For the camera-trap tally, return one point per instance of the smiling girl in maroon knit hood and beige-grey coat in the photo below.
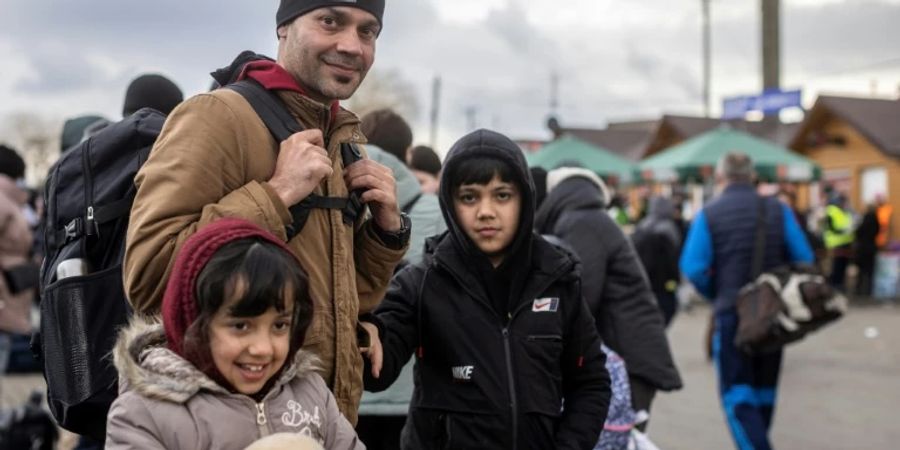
(225, 367)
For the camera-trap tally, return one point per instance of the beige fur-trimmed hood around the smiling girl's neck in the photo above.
(148, 367)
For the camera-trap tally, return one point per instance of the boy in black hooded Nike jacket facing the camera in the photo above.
(507, 354)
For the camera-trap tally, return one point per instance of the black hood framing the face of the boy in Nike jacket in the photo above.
(485, 143)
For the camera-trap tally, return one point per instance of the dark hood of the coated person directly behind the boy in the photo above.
(571, 194)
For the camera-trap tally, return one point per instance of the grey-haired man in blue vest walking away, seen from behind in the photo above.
(717, 259)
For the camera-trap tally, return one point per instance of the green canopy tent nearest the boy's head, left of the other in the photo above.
(569, 151)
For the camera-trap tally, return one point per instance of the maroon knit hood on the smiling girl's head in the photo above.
(179, 309)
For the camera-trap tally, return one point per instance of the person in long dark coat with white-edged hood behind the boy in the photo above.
(614, 283)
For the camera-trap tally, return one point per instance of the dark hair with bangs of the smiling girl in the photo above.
(265, 271)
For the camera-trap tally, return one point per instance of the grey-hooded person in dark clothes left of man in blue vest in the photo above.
(657, 240)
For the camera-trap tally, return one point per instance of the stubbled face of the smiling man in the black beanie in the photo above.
(329, 50)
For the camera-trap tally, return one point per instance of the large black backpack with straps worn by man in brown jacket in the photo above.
(88, 196)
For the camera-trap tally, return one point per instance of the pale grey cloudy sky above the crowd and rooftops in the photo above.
(615, 59)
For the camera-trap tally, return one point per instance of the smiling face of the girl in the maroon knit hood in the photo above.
(248, 351)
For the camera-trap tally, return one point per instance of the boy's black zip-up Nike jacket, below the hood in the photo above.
(484, 381)
